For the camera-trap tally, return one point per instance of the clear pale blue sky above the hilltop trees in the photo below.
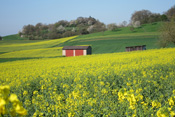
(14, 14)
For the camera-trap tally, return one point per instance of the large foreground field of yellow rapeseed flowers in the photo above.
(120, 84)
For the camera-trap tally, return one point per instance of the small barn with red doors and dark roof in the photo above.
(76, 50)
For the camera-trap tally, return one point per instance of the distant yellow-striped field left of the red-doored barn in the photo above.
(11, 50)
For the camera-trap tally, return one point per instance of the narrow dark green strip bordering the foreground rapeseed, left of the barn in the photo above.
(28, 58)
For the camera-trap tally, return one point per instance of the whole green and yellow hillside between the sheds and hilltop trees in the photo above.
(14, 47)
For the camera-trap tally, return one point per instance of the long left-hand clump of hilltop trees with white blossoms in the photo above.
(62, 28)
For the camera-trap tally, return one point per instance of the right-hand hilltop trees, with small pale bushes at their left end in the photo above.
(144, 17)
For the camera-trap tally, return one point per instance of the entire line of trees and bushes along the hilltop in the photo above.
(83, 25)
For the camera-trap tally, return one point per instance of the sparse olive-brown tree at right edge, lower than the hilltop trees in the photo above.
(167, 34)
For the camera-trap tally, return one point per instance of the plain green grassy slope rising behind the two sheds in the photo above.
(116, 41)
